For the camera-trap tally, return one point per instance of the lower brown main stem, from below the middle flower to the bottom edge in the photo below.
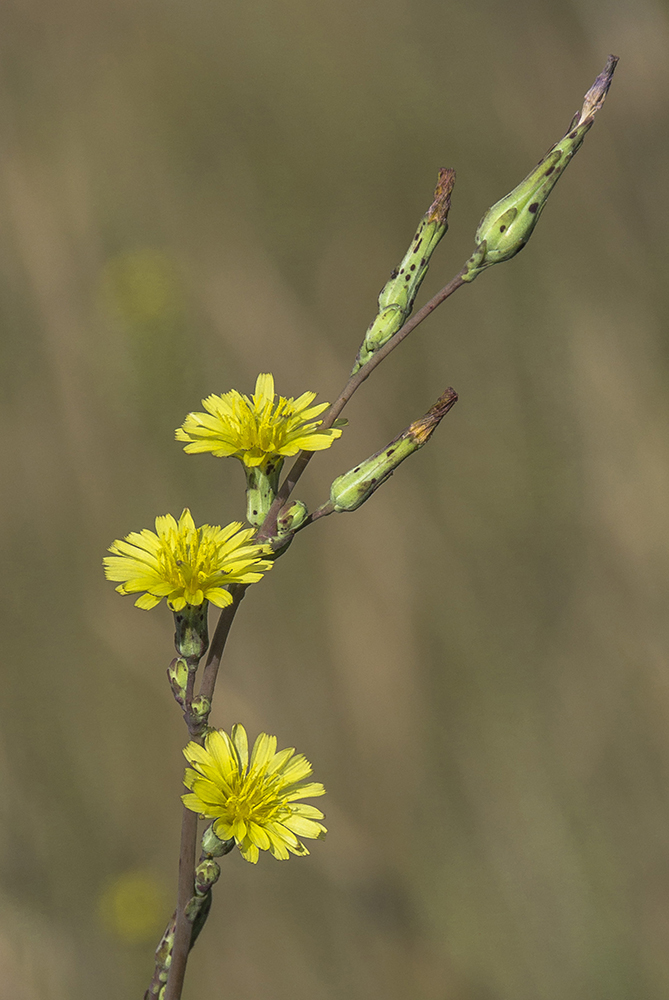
(187, 850)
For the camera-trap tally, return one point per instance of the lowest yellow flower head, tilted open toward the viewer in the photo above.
(253, 801)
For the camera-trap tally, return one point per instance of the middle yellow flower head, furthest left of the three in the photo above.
(185, 564)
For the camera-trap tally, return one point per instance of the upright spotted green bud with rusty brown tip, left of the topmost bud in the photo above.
(399, 293)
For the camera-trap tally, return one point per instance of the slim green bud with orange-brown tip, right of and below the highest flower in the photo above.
(350, 491)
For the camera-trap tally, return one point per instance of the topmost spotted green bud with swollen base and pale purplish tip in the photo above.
(507, 226)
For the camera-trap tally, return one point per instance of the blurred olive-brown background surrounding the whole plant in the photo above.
(476, 662)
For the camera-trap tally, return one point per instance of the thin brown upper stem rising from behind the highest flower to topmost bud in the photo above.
(299, 465)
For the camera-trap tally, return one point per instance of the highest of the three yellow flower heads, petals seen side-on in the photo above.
(254, 429)
